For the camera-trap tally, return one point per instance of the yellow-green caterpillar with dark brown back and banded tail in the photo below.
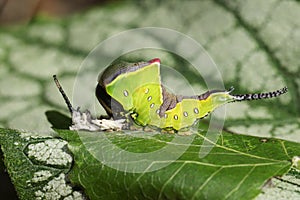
(136, 88)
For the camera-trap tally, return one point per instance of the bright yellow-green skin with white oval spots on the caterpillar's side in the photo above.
(140, 92)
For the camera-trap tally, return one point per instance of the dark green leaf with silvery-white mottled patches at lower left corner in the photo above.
(37, 165)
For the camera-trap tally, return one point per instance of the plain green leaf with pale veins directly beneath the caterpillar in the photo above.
(237, 167)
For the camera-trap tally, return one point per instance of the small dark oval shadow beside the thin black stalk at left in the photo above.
(58, 120)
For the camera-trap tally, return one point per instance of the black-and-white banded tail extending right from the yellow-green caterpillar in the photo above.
(256, 96)
